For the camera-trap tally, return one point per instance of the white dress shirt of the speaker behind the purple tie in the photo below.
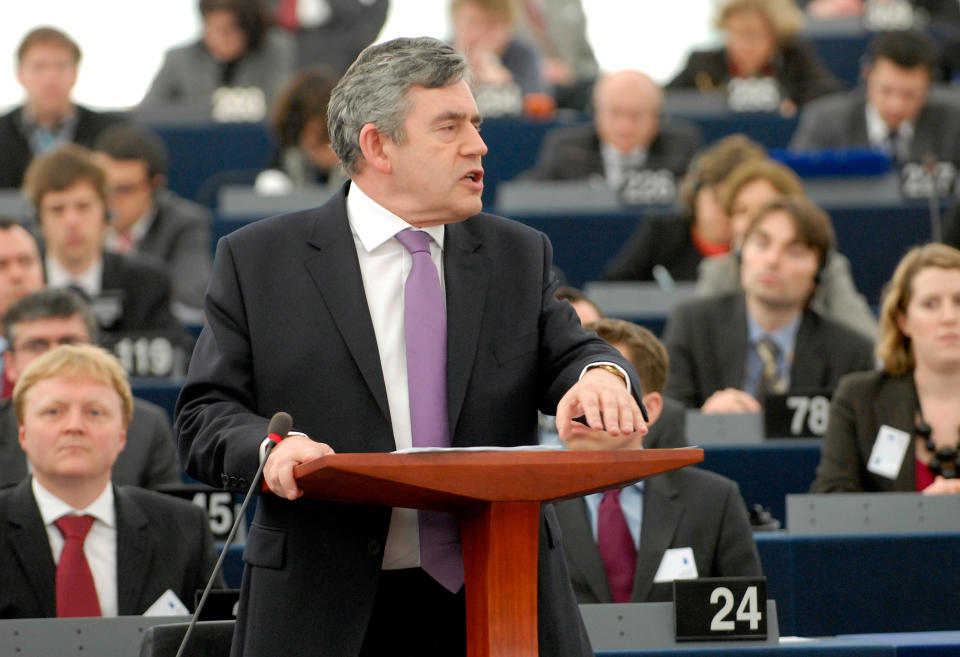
(384, 265)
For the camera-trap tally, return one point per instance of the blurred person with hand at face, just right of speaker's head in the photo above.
(505, 69)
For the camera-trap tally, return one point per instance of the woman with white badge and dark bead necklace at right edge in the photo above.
(897, 429)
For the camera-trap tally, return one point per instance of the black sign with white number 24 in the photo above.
(720, 608)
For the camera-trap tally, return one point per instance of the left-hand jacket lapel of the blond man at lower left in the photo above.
(27, 538)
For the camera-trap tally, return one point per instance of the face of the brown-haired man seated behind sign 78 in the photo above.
(777, 269)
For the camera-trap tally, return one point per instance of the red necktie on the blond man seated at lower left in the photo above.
(76, 594)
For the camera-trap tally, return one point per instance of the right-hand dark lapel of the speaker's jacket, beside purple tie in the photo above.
(466, 272)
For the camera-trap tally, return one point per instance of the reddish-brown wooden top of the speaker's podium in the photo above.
(453, 479)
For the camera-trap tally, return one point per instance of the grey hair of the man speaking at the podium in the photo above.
(374, 90)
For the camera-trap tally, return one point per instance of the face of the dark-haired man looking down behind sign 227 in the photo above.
(898, 94)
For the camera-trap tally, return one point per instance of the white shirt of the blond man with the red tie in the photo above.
(100, 546)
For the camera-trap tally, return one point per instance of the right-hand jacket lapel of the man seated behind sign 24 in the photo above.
(661, 515)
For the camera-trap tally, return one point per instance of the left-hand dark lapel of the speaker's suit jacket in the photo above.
(336, 273)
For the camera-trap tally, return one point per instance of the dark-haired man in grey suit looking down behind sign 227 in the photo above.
(897, 111)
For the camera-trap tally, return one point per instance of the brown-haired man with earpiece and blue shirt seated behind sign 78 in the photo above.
(728, 351)
